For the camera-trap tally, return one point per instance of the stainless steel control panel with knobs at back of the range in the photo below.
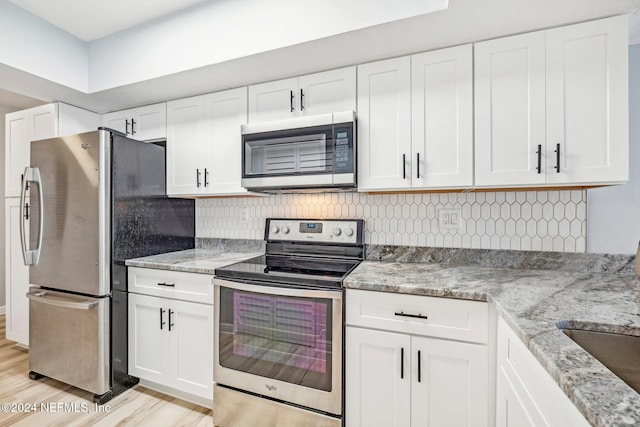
(347, 231)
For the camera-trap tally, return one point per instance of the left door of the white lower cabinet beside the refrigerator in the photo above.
(148, 338)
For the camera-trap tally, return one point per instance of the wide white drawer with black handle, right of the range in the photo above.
(440, 317)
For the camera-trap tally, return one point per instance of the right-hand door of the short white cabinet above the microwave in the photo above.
(327, 92)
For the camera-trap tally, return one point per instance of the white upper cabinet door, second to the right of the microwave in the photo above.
(442, 118)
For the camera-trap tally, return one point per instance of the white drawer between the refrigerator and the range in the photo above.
(171, 284)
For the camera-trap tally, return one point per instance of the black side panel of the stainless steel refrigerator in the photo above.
(144, 221)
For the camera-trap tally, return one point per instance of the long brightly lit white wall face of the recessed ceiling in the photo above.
(223, 30)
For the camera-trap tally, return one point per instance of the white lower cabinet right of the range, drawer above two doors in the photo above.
(403, 377)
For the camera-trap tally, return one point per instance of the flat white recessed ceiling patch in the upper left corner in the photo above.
(92, 19)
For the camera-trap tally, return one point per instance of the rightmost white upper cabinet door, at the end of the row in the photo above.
(587, 90)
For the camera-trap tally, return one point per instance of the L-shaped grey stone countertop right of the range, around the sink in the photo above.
(534, 303)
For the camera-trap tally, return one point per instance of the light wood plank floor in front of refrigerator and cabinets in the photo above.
(137, 406)
